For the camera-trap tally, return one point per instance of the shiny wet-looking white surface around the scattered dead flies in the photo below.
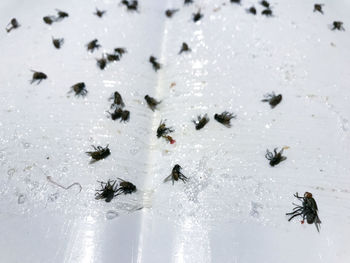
(233, 208)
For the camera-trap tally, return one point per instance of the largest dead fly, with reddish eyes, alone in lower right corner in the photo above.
(307, 210)
